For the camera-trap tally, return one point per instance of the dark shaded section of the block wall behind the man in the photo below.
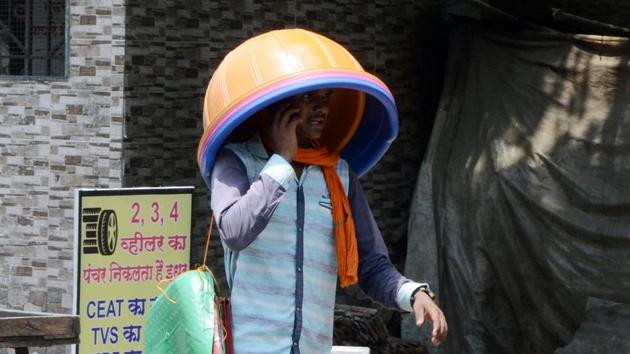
(173, 46)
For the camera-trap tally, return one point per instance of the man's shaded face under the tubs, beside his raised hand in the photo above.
(314, 107)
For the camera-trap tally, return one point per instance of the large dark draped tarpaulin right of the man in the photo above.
(521, 213)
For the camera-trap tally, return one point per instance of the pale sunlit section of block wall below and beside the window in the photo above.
(55, 136)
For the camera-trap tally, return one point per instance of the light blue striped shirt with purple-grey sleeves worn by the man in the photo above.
(280, 252)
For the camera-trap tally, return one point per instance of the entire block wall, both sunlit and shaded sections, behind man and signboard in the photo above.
(139, 68)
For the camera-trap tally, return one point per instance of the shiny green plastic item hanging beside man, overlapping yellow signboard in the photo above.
(182, 319)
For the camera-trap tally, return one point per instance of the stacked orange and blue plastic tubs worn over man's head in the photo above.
(363, 120)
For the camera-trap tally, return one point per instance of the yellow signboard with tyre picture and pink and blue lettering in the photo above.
(126, 242)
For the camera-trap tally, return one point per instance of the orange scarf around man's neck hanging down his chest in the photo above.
(343, 223)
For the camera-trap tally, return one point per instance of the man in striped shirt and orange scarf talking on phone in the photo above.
(291, 217)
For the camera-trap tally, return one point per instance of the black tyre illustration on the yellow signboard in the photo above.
(101, 231)
